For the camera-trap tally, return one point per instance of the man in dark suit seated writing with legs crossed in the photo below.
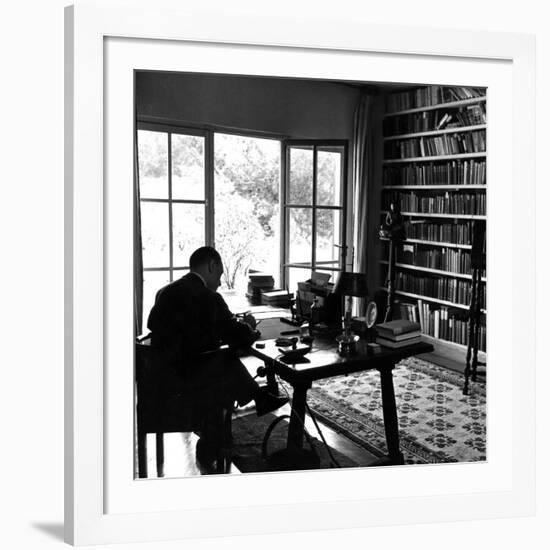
(188, 318)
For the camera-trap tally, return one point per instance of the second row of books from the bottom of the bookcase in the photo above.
(442, 288)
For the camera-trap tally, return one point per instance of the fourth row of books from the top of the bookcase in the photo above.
(456, 172)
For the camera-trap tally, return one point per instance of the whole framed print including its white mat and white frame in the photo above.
(237, 193)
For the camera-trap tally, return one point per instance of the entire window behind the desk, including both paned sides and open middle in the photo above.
(202, 187)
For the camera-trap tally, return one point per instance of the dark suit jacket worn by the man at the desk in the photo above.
(188, 318)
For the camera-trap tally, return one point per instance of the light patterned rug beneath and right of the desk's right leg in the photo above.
(436, 422)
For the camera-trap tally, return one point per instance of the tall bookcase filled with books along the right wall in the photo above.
(434, 167)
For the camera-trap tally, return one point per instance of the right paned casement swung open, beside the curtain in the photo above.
(314, 213)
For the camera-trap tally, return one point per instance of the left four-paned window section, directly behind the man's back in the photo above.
(173, 205)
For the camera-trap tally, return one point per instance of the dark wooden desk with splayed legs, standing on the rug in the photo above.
(325, 362)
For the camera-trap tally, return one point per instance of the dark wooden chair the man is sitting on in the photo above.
(160, 411)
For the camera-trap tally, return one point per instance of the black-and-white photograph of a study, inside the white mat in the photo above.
(309, 274)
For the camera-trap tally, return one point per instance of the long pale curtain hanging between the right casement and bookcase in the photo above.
(363, 192)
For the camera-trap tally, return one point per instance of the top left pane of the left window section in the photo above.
(153, 164)
